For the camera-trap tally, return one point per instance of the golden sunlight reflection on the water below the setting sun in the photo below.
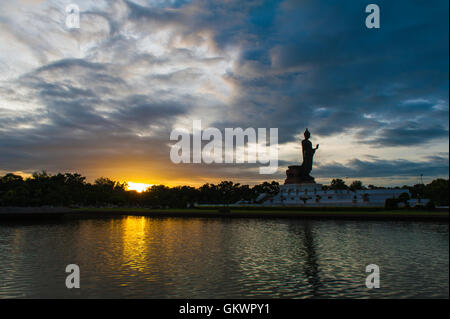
(168, 250)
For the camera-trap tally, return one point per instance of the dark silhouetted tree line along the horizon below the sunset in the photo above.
(72, 189)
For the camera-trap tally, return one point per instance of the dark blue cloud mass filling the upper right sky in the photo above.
(361, 78)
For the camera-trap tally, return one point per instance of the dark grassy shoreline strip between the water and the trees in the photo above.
(46, 213)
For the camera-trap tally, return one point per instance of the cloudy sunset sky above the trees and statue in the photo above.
(102, 100)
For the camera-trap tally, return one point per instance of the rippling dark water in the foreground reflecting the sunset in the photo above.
(142, 257)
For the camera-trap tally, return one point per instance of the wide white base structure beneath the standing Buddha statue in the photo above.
(313, 195)
